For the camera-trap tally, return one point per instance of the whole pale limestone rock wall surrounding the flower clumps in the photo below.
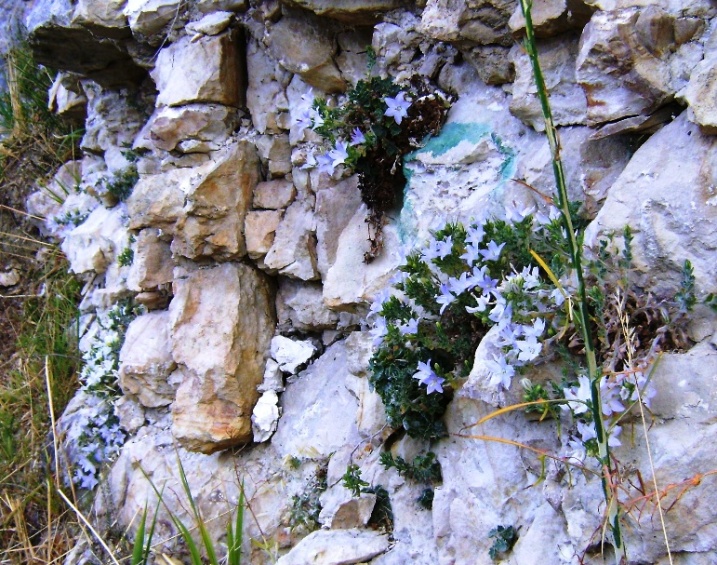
(250, 364)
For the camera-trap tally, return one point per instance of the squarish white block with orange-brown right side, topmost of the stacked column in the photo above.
(206, 70)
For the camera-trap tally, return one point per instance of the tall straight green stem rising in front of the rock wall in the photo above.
(582, 316)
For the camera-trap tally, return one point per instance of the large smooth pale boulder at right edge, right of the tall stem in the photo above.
(670, 204)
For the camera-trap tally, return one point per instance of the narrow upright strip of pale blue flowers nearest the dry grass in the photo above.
(102, 436)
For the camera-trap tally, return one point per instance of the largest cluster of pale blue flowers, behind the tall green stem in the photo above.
(509, 279)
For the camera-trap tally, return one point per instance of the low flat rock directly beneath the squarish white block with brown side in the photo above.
(189, 129)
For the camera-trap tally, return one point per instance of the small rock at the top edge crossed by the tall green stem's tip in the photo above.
(553, 17)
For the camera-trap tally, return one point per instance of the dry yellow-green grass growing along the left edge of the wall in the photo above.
(38, 351)
